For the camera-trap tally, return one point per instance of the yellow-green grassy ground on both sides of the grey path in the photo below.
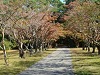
(84, 63)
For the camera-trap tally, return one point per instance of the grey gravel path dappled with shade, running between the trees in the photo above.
(57, 63)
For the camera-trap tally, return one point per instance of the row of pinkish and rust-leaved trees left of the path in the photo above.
(29, 25)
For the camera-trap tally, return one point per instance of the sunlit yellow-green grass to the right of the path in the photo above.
(85, 63)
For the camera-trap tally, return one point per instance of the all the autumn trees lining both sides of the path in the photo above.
(35, 24)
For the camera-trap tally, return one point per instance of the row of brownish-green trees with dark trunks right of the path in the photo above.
(84, 23)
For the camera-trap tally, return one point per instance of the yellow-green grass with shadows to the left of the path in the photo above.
(16, 64)
